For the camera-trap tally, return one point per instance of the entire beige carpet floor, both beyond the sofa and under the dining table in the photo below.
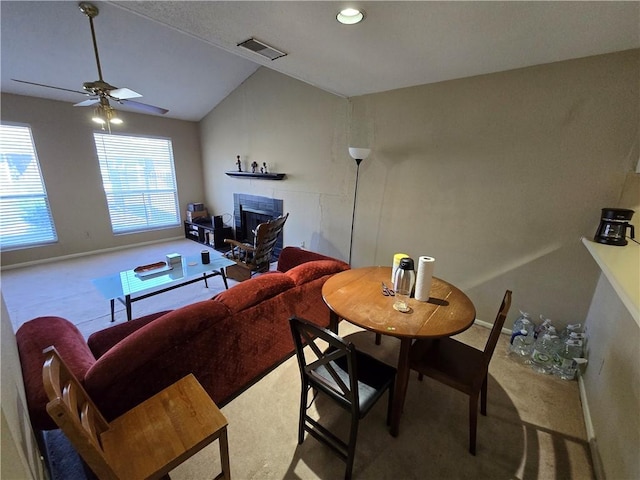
(534, 428)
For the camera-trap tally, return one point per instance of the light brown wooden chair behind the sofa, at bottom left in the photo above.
(146, 442)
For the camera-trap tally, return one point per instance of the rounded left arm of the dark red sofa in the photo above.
(32, 338)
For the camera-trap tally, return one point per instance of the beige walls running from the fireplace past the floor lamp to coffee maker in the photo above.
(497, 176)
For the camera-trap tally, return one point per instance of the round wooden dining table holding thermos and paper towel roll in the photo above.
(356, 296)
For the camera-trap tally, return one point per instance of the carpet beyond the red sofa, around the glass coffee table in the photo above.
(64, 289)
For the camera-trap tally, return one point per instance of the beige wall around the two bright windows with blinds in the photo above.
(63, 136)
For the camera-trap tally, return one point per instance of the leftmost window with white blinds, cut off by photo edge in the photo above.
(25, 216)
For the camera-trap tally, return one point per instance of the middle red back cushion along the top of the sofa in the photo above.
(247, 294)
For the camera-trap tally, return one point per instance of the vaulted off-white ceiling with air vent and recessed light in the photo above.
(183, 56)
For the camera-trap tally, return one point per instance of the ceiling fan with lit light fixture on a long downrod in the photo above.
(99, 90)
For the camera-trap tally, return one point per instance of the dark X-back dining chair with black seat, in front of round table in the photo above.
(354, 380)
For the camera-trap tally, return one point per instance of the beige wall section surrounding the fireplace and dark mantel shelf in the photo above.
(298, 130)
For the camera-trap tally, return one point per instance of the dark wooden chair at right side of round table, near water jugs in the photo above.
(461, 366)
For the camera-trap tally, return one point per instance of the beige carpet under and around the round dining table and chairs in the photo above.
(534, 428)
